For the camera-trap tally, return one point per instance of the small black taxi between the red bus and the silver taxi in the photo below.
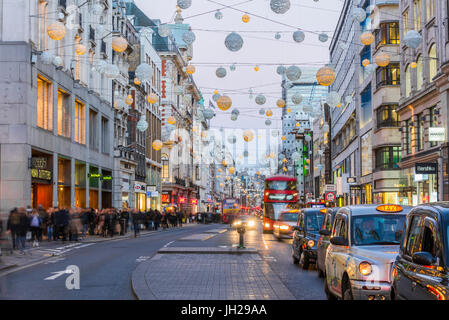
(306, 235)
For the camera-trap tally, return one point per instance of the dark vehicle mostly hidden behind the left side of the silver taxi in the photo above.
(323, 241)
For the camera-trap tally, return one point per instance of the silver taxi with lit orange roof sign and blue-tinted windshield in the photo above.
(364, 243)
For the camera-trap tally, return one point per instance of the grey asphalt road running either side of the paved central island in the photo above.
(106, 267)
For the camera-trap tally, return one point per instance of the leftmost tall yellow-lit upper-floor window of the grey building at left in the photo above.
(44, 104)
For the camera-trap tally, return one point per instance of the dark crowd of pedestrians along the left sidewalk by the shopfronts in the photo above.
(72, 224)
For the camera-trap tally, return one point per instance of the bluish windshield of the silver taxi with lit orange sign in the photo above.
(377, 229)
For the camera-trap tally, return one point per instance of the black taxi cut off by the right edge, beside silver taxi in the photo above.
(421, 270)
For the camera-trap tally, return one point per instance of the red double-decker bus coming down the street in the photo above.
(280, 194)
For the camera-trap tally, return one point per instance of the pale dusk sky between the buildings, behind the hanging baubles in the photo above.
(259, 48)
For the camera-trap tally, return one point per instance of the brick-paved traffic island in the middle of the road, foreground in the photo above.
(192, 276)
